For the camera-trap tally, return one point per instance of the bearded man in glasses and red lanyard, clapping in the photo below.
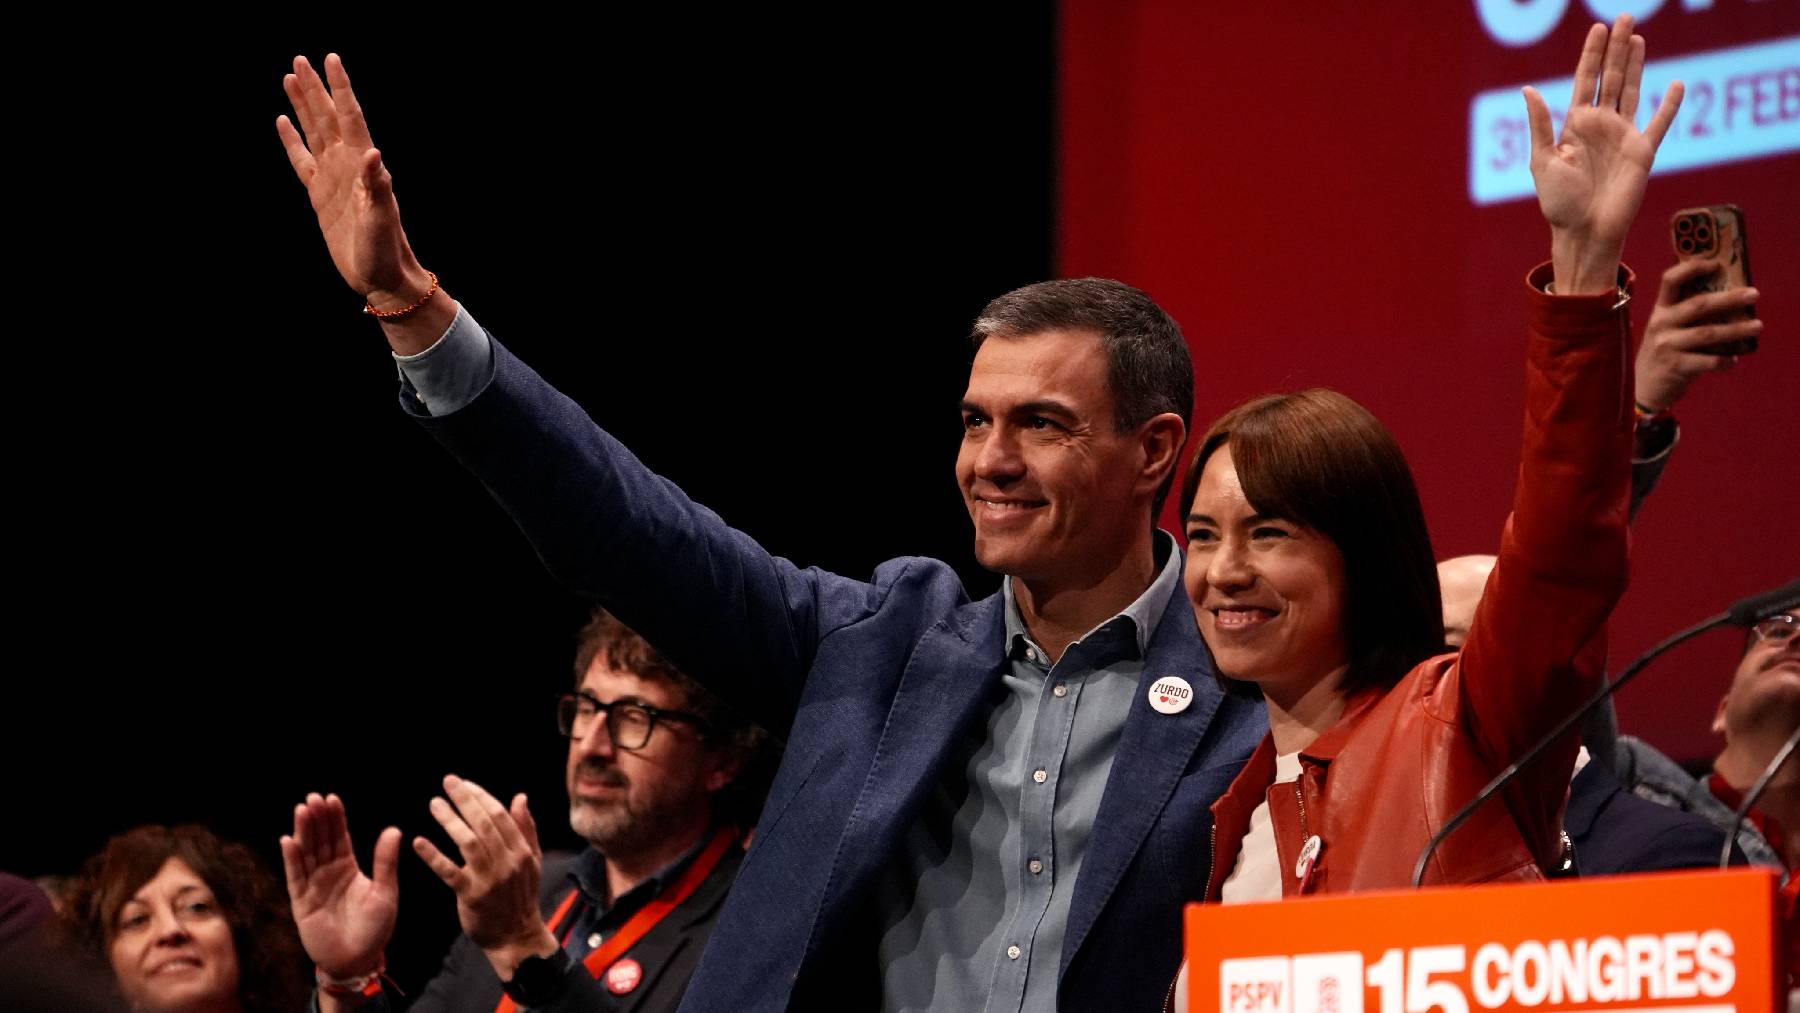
(663, 785)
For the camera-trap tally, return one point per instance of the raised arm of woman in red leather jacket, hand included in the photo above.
(1536, 647)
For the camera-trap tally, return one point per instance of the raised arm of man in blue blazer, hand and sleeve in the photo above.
(710, 598)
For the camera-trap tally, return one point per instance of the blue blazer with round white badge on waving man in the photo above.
(872, 685)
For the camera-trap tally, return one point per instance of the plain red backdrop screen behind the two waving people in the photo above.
(1297, 193)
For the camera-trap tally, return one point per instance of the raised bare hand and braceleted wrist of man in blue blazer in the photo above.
(354, 197)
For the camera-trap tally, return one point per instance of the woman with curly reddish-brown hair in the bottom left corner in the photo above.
(188, 924)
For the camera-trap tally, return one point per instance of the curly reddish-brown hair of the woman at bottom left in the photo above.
(271, 962)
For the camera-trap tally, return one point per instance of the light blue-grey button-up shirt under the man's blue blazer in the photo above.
(978, 899)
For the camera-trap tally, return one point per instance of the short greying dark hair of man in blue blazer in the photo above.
(1149, 368)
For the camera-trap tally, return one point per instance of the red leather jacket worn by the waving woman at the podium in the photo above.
(1401, 762)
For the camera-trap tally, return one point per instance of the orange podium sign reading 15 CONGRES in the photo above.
(1668, 942)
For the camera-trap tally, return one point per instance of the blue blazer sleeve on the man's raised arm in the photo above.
(708, 596)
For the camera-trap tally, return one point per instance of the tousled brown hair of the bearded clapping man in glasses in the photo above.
(624, 650)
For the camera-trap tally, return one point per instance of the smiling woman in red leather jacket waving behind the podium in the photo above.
(1315, 584)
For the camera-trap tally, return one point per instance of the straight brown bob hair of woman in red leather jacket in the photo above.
(1320, 460)
